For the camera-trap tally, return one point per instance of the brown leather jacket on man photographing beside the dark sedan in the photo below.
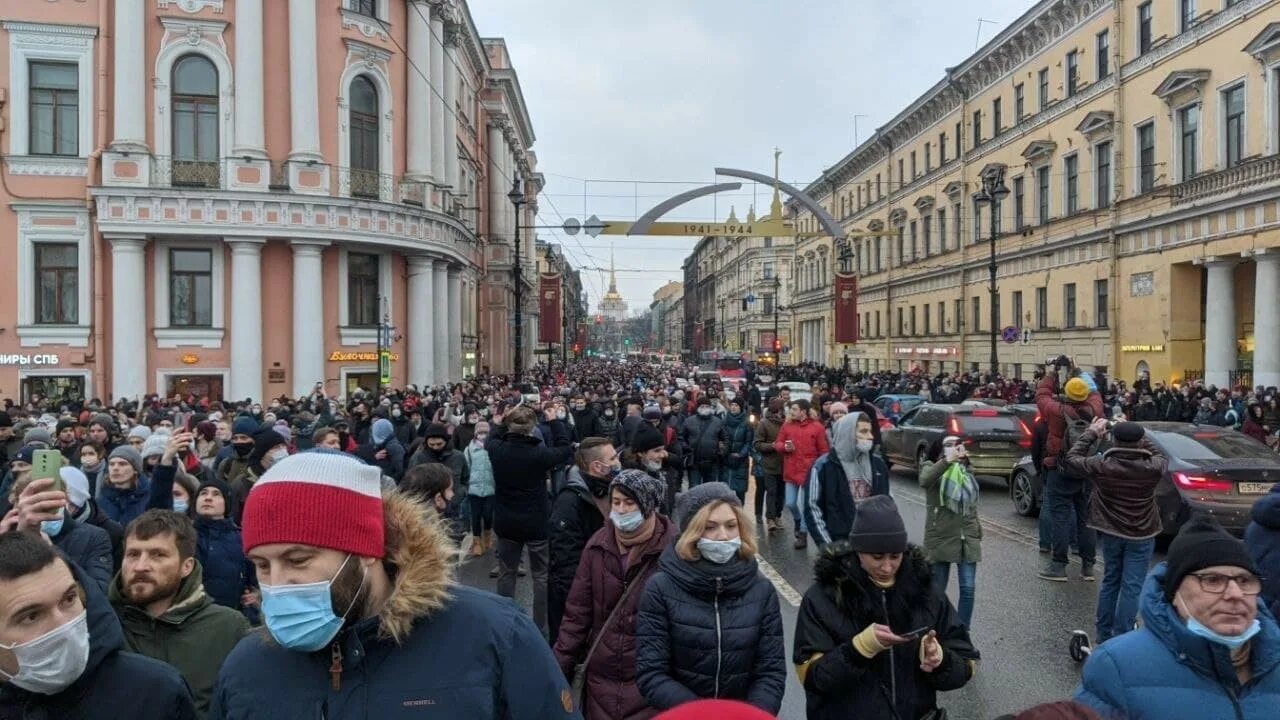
(1124, 486)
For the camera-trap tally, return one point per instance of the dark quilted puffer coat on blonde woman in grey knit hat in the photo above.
(708, 631)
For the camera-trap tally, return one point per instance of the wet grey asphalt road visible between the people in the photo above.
(1022, 625)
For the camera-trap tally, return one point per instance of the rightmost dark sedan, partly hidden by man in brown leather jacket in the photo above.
(1212, 470)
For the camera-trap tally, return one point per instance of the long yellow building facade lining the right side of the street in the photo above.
(1141, 234)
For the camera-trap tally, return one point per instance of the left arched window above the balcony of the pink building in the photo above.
(195, 122)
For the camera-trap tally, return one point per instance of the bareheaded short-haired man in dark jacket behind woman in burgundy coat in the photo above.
(578, 512)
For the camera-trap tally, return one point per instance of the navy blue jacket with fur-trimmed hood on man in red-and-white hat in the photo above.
(436, 650)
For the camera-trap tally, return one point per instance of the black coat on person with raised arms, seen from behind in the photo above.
(522, 507)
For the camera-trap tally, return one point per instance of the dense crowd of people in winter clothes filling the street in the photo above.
(234, 558)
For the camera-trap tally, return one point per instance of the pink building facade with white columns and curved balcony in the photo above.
(227, 198)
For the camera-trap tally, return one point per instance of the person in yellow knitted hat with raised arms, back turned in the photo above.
(1068, 412)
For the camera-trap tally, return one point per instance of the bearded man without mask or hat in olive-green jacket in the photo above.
(163, 607)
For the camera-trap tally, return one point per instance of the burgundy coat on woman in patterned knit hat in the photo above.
(611, 676)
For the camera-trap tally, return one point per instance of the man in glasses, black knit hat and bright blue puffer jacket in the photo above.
(1205, 649)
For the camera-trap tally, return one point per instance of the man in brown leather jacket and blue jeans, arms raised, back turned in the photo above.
(1123, 511)
